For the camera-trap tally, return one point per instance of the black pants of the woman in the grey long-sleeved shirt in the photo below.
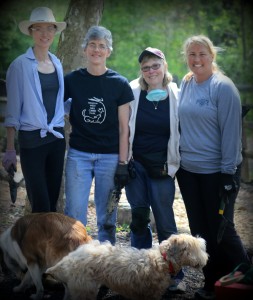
(200, 193)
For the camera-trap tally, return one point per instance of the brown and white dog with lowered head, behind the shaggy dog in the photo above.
(36, 242)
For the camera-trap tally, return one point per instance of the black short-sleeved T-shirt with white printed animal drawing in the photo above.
(94, 109)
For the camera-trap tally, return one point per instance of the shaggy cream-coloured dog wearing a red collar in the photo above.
(134, 274)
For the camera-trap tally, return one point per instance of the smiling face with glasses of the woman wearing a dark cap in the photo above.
(153, 71)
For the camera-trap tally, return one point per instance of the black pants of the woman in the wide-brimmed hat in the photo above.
(42, 168)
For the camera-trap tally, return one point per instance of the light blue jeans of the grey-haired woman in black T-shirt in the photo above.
(81, 169)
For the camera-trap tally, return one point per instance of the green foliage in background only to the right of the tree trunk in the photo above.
(166, 24)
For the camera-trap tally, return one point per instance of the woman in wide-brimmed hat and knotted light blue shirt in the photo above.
(35, 108)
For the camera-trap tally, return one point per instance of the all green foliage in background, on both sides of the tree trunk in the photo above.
(136, 25)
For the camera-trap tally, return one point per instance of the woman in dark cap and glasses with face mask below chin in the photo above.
(154, 152)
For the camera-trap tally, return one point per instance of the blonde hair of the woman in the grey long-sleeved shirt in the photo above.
(206, 42)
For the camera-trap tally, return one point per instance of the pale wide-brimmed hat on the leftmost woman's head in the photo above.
(41, 15)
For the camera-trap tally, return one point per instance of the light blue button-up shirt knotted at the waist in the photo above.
(25, 109)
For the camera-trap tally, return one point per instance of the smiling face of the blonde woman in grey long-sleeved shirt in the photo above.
(199, 60)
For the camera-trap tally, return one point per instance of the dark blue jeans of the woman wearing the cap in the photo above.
(144, 192)
